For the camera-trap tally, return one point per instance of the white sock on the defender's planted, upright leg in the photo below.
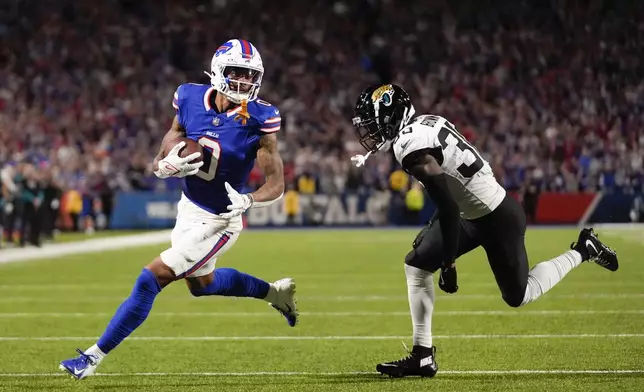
(420, 290)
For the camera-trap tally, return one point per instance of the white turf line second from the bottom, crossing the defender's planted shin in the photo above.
(392, 337)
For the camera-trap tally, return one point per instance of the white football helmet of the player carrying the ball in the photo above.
(237, 70)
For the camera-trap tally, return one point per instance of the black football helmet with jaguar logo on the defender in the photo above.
(380, 113)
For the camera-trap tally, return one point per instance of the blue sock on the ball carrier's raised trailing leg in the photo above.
(229, 282)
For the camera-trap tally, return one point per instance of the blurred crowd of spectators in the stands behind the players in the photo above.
(552, 92)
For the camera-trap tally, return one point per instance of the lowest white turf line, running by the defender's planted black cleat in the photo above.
(255, 374)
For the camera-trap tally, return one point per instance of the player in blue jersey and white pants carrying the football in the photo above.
(235, 129)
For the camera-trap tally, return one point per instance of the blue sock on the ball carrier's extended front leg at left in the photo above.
(131, 313)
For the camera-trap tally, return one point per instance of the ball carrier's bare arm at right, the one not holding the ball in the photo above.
(270, 162)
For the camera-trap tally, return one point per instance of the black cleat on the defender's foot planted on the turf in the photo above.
(421, 361)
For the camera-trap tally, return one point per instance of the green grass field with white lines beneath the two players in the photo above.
(582, 336)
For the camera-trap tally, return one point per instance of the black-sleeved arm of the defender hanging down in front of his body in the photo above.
(426, 169)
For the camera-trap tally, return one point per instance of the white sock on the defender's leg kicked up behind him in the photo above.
(547, 274)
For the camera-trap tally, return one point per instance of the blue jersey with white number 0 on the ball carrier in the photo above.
(230, 148)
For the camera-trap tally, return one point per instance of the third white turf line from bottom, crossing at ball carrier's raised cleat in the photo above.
(334, 314)
